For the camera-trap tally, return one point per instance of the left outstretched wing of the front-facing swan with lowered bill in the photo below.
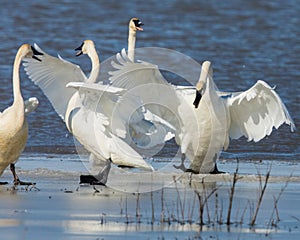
(146, 81)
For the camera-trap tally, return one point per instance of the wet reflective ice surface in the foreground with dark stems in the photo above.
(61, 209)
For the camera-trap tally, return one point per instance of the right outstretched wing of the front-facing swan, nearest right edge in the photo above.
(255, 112)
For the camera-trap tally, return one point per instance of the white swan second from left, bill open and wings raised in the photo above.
(86, 114)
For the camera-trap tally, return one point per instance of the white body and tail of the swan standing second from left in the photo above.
(93, 128)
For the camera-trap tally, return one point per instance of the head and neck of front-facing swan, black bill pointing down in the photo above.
(206, 71)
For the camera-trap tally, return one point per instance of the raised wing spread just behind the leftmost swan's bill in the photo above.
(52, 74)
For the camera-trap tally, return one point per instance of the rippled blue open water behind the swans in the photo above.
(245, 40)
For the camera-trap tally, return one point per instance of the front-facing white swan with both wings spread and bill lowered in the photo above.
(205, 122)
